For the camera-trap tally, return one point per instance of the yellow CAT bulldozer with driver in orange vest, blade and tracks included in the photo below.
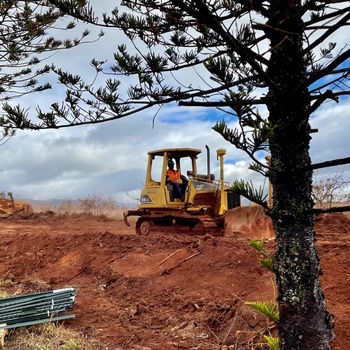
(203, 205)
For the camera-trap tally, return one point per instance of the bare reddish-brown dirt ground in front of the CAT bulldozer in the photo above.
(130, 297)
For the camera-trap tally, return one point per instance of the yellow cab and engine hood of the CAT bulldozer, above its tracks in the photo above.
(196, 193)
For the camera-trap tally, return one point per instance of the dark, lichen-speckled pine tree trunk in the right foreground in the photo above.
(304, 320)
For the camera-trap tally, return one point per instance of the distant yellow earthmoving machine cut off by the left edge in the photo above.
(10, 207)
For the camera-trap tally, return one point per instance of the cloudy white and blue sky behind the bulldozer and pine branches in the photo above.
(110, 159)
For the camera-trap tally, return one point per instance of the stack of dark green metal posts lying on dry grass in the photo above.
(30, 309)
